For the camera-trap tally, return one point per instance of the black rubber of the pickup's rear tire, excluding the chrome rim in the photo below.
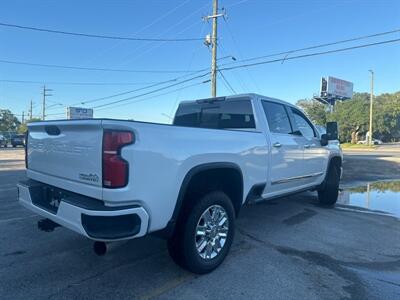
(182, 245)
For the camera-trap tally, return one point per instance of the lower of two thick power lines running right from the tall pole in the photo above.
(309, 55)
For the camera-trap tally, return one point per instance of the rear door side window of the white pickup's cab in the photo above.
(277, 117)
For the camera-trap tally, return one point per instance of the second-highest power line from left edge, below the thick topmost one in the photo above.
(91, 69)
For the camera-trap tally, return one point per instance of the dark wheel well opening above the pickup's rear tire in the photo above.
(225, 178)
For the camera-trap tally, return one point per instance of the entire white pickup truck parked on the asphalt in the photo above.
(113, 180)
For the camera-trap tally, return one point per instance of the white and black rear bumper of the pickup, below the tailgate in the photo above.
(84, 215)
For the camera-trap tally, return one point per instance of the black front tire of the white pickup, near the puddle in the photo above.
(328, 195)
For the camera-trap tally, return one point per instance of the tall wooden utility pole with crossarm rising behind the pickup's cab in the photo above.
(213, 42)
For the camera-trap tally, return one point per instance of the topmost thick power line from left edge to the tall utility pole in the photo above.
(101, 36)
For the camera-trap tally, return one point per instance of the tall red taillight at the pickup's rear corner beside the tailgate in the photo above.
(115, 168)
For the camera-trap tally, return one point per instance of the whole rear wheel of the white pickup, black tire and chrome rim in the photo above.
(204, 235)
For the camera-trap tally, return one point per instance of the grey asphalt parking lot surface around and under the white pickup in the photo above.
(287, 248)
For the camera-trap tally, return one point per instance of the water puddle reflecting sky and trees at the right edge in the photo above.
(381, 196)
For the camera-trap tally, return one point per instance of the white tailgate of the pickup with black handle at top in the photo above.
(70, 150)
